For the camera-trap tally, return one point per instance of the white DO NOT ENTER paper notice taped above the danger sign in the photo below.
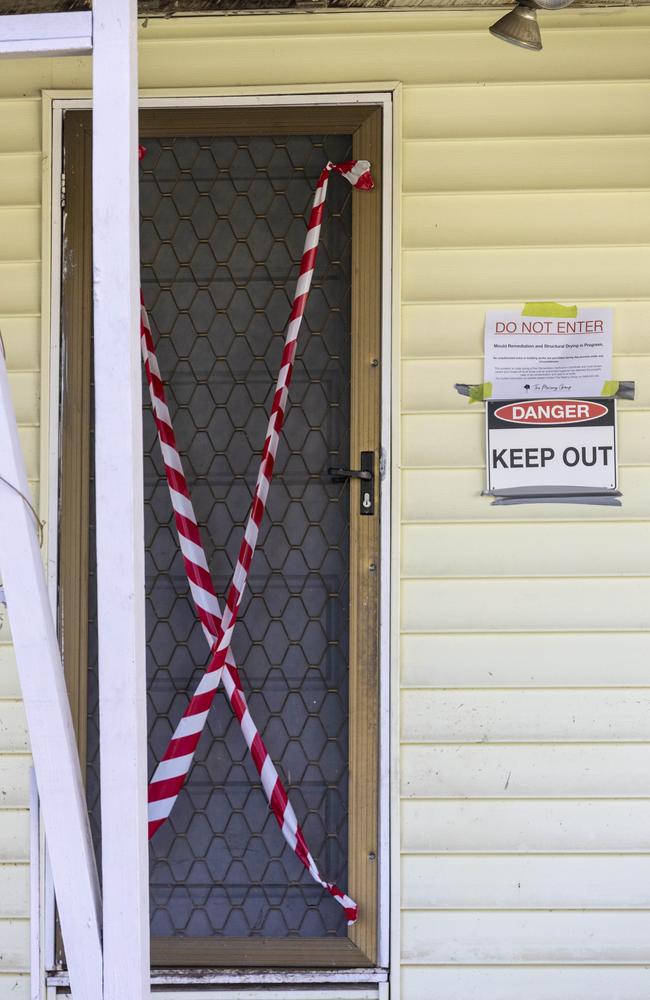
(548, 355)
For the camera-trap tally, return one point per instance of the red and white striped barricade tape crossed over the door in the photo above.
(170, 774)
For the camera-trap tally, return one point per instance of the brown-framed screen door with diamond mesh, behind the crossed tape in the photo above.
(223, 216)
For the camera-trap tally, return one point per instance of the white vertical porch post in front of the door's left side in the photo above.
(119, 498)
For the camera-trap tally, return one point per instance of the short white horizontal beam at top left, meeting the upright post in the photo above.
(67, 34)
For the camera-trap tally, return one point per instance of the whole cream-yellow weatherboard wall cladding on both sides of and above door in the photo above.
(525, 712)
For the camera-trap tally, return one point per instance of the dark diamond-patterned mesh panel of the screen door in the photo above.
(223, 227)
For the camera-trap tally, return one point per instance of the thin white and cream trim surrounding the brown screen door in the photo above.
(383, 95)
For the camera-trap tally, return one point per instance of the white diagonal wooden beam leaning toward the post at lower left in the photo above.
(54, 751)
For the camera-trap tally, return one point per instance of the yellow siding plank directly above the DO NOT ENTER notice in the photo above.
(539, 273)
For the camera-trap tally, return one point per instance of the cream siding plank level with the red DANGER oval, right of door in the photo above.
(431, 440)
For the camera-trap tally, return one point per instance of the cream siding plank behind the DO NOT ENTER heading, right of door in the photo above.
(456, 329)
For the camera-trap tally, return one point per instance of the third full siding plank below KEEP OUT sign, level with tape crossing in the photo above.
(598, 659)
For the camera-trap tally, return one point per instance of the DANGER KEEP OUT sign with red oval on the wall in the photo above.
(551, 443)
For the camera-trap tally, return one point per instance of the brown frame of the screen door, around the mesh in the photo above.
(364, 122)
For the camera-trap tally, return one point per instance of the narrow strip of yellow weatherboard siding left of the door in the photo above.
(20, 305)
